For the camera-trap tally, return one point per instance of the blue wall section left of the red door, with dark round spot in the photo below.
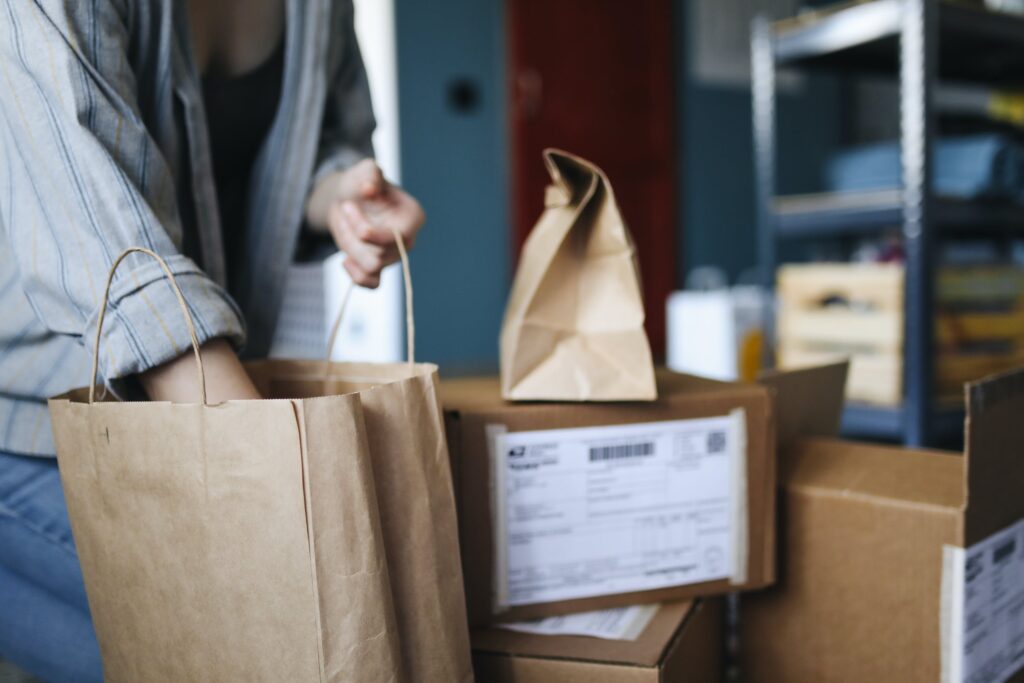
(456, 163)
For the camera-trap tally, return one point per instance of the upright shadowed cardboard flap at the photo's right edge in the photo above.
(995, 454)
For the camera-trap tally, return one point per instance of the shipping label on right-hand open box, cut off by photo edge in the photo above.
(984, 609)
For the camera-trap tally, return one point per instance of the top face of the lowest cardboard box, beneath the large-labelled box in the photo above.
(647, 651)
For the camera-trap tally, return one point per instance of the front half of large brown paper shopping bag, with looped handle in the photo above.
(237, 542)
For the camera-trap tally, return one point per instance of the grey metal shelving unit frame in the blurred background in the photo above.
(920, 42)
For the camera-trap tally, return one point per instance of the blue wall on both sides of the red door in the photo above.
(457, 163)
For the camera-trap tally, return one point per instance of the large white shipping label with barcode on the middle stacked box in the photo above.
(605, 510)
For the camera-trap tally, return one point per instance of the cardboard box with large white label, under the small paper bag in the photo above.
(621, 481)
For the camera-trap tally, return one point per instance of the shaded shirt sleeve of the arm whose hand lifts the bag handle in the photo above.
(349, 114)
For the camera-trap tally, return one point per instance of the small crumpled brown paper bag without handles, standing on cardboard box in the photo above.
(574, 324)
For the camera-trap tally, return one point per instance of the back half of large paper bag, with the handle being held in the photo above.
(412, 473)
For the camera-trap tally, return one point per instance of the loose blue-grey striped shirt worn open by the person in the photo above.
(104, 146)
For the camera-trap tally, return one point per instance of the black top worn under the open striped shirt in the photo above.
(240, 112)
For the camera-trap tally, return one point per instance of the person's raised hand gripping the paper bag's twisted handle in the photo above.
(363, 211)
